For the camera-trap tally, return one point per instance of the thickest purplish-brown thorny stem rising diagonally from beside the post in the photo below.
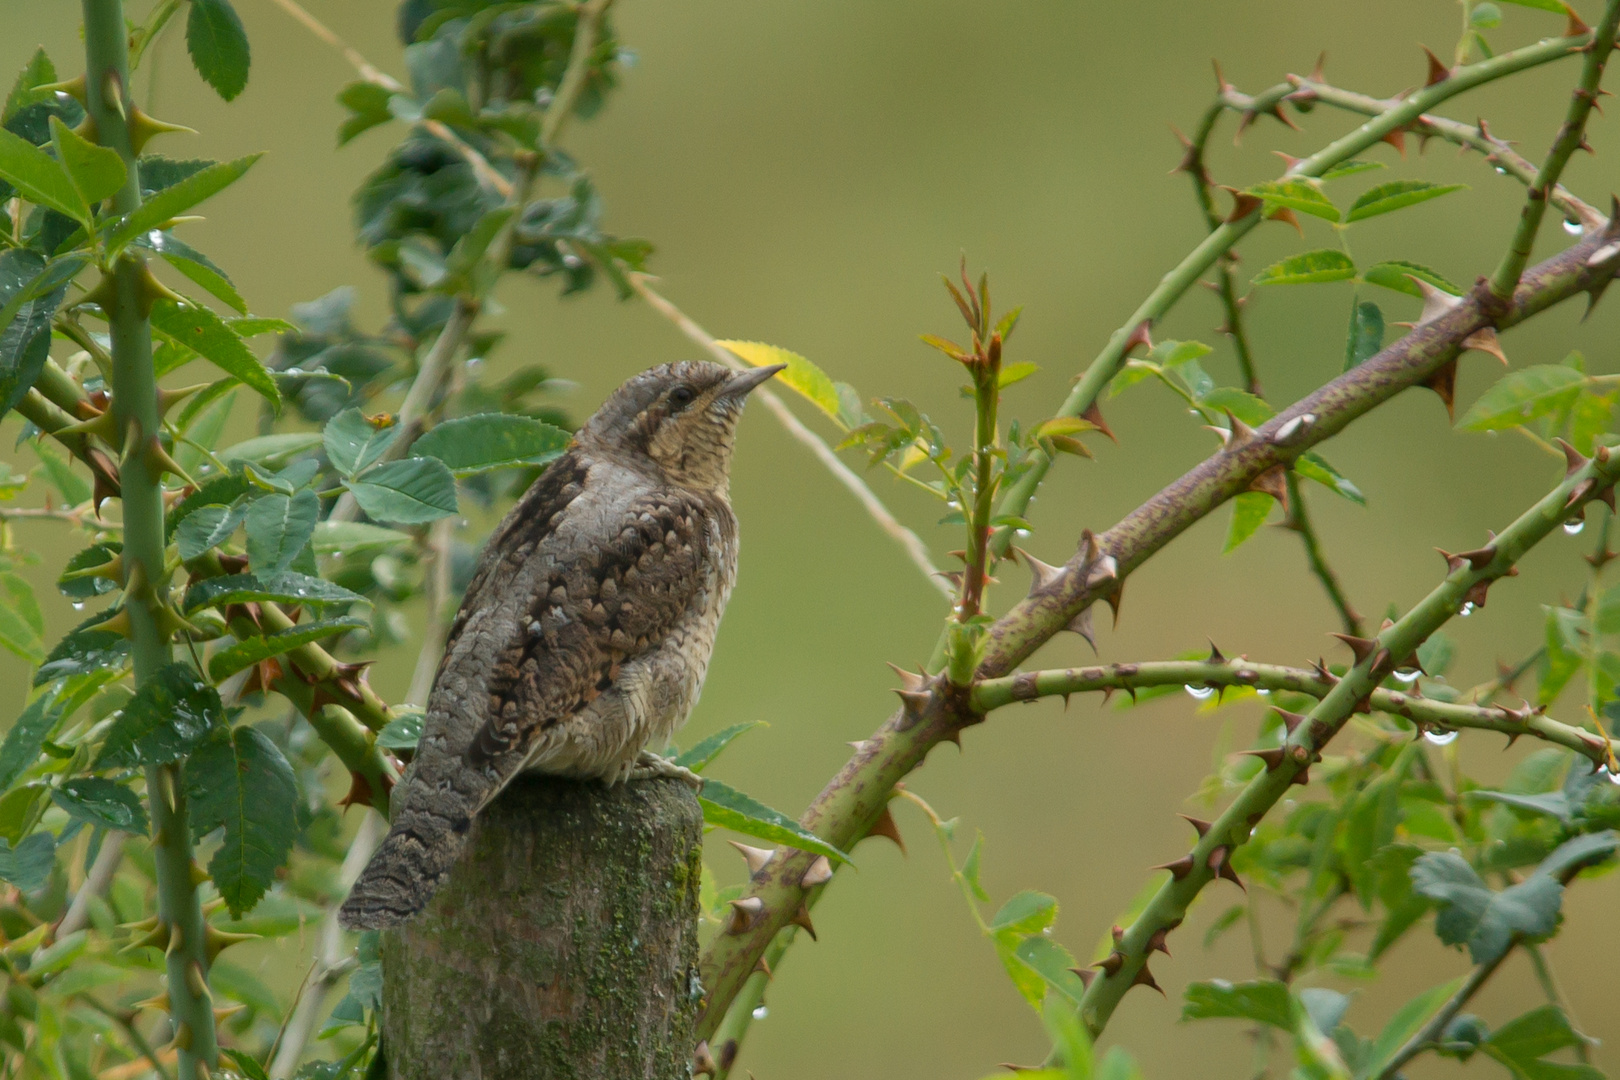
(856, 799)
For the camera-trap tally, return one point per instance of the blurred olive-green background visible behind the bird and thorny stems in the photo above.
(806, 172)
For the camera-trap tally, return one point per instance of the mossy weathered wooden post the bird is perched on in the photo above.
(565, 943)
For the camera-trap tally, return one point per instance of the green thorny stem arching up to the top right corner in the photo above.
(1172, 287)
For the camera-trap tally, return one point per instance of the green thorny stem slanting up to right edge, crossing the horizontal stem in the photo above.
(1311, 736)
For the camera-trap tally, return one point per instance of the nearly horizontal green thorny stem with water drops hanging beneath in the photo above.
(995, 694)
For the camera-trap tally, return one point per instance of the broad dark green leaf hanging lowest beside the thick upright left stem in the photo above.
(241, 781)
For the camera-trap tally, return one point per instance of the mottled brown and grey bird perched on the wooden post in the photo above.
(587, 629)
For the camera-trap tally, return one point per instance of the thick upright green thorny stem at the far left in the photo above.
(126, 302)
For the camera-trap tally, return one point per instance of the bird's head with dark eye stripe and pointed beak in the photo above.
(681, 419)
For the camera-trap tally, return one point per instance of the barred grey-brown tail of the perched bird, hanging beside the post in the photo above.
(411, 864)
